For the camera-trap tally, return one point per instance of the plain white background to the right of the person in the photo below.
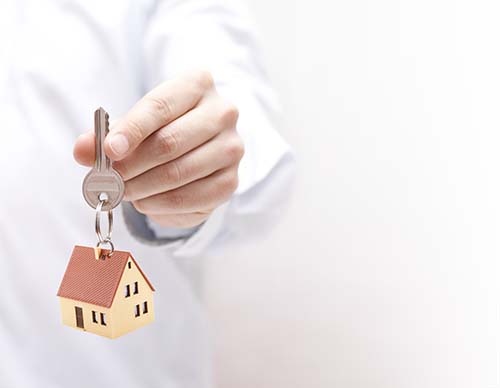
(384, 272)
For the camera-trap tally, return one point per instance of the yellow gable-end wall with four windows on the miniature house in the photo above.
(123, 308)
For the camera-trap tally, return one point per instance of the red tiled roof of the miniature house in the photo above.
(94, 281)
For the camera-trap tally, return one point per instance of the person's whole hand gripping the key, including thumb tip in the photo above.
(177, 150)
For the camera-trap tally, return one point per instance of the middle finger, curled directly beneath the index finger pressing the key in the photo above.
(179, 137)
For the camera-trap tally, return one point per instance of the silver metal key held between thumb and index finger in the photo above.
(102, 182)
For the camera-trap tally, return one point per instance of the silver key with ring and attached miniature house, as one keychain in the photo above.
(104, 291)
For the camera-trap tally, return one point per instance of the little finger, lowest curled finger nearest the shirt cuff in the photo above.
(203, 194)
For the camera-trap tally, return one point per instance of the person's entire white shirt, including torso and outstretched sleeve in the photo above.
(59, 61)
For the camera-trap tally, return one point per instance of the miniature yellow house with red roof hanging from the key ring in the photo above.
(109, 296)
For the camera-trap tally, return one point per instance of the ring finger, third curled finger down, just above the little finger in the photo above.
(223, 151)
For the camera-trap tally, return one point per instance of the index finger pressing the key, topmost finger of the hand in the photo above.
(156, 109)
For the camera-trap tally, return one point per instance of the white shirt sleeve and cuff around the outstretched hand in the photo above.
(218, 36)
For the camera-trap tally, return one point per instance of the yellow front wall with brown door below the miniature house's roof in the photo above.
(69, 317)
